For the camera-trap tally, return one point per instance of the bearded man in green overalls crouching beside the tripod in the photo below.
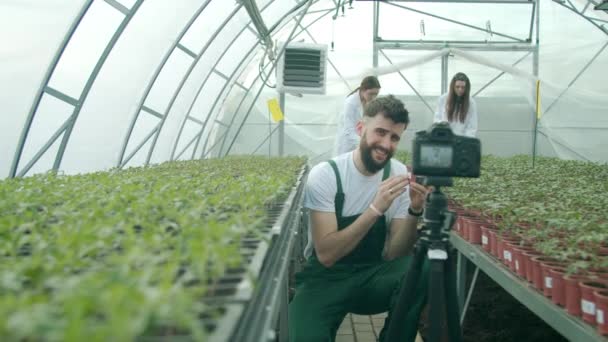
(363, 219)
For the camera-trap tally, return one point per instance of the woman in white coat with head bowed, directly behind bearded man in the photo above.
(347, 138)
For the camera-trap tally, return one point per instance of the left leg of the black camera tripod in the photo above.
(406, 301)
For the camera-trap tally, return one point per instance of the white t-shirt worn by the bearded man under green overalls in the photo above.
(359, 191)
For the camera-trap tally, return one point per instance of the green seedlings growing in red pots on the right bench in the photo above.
(560, 205)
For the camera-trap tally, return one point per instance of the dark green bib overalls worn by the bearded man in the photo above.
(362, 282)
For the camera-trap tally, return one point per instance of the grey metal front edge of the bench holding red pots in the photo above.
(571, 327)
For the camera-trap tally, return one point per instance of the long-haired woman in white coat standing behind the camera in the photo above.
(458, 107)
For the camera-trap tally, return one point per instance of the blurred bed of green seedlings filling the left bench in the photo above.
(110, 256)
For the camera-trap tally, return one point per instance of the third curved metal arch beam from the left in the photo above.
(157, 72)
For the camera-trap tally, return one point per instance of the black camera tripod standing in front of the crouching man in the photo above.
(434, 242)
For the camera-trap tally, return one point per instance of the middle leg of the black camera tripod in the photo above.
(436, 300)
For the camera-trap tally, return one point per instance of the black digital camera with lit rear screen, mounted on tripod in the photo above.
(439, 152)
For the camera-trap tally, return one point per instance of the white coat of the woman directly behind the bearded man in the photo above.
(347, 138)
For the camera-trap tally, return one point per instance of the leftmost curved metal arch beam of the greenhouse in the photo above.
(41, 90)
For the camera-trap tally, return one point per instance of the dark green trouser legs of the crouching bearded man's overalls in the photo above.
(325, 295)
